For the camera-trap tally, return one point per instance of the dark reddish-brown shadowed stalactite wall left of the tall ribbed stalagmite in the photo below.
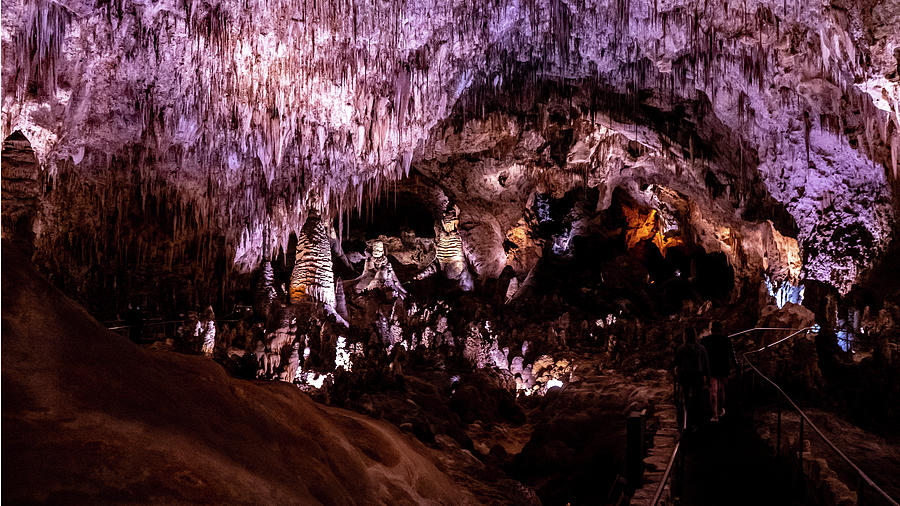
(121, 239)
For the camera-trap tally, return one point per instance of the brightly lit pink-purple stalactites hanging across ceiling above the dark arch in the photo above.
(338, 96)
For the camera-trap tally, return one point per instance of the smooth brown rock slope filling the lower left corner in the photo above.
(90, 417)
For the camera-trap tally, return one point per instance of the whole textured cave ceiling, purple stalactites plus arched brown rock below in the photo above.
(241, 119)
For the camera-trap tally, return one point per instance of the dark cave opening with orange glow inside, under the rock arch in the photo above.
(612, 267)
